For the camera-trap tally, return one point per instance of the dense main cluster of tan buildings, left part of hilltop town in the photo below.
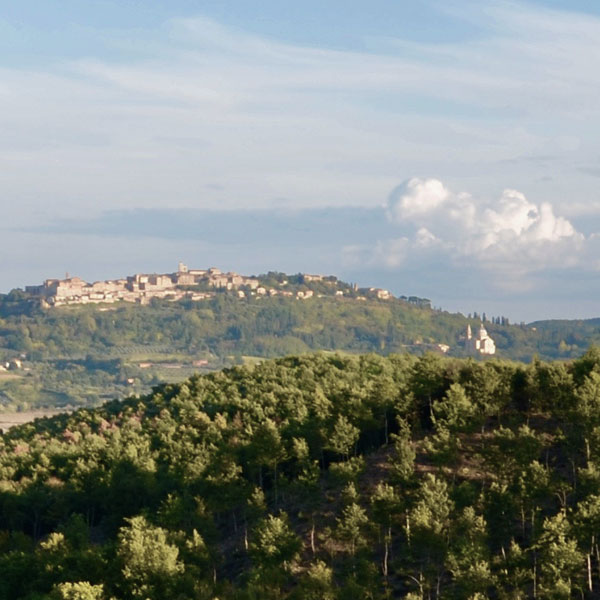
(140, 288)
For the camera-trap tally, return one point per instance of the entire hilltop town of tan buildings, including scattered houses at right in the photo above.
(185, 283)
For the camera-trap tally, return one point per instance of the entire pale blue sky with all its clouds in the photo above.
(441, 149)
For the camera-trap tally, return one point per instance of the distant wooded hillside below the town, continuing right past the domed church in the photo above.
(85, 354)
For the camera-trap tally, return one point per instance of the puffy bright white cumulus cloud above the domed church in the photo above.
(512, 234)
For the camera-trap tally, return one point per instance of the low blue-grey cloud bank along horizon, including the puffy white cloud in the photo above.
(509, 256)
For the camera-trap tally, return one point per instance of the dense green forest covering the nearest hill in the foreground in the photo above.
(315, 477)
